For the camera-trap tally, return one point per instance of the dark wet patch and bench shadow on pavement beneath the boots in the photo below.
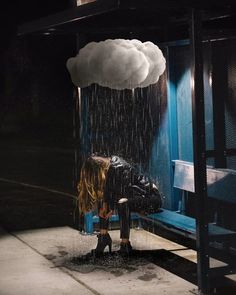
(118, 264)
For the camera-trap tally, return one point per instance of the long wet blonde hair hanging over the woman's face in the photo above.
(92, 183)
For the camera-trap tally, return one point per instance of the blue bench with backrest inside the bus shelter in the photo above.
(221, 185)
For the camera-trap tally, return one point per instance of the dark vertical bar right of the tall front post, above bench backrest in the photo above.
(219, 92)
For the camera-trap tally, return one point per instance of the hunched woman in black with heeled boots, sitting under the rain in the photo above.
(108, 183)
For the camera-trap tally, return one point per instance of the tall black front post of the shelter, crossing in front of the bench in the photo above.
(199, 146)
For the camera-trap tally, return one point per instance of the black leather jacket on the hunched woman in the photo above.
(124, 182)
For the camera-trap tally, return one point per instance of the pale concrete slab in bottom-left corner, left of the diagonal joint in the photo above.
(24, 271)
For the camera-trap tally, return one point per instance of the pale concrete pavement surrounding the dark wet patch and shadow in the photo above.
(38, 262)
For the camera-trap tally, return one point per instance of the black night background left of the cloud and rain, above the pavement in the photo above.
(36, 120)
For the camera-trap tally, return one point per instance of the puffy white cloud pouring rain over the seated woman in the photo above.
(118, 64)
